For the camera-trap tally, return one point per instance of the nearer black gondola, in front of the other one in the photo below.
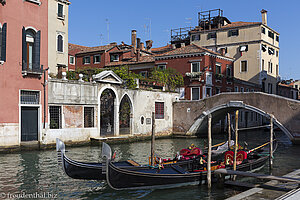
(172, 175)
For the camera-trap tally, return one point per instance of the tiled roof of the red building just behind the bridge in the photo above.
(192, 48)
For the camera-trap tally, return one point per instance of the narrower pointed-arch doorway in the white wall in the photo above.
(125, 113)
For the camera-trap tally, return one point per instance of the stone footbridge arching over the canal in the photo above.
(190, 117)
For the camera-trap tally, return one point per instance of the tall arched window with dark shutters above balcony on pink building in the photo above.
(31, 50)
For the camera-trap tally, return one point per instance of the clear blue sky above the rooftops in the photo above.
(99, 22)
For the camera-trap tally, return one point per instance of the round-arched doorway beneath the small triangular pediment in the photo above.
(107, 113)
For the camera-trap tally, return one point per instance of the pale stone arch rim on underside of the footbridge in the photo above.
(201, 122)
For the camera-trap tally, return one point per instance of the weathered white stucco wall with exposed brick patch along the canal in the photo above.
(73, 96)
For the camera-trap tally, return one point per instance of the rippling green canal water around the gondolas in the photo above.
(37, 172)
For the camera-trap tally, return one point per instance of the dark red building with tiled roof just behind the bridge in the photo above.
(205, 72)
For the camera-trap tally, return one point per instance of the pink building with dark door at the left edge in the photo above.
(24, 49)
